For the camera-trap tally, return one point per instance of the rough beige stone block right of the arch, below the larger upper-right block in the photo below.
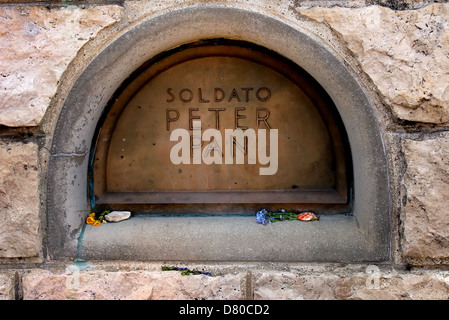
(426, 205)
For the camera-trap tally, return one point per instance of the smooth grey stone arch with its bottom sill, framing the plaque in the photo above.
(362, 236)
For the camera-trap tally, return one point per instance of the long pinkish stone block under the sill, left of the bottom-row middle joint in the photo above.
(132, 285)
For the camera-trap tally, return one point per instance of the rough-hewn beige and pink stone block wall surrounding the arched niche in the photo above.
(398, 48)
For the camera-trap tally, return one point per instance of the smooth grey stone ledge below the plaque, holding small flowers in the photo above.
(228, 238)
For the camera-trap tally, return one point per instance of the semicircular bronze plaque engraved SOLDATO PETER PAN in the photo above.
(172, 135)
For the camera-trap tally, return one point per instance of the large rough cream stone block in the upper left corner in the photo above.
(36, 45)
